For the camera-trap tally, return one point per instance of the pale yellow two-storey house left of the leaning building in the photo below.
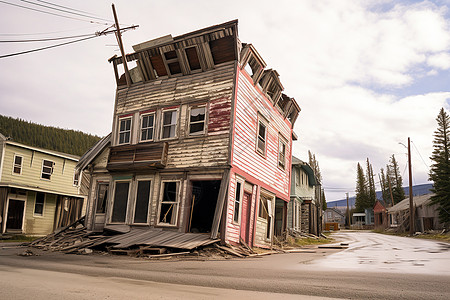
(39, 189)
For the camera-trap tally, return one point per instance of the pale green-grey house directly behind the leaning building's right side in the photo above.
(304, 209)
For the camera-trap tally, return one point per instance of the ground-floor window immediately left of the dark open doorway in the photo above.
(168, 205)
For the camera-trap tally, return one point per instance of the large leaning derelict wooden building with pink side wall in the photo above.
(201, 141)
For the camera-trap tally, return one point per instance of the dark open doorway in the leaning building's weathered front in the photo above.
(203, 205)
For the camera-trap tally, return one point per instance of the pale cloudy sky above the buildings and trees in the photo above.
(366, 74)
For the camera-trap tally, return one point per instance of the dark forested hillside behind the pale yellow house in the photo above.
(62, 140)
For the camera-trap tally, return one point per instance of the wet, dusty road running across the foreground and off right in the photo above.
(373, 267)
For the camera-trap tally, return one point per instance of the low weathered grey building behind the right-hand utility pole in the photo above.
(426, 215)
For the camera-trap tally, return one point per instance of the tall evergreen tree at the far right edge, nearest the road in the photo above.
(440, 169)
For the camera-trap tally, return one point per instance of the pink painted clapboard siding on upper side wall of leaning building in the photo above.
(249, 102)
